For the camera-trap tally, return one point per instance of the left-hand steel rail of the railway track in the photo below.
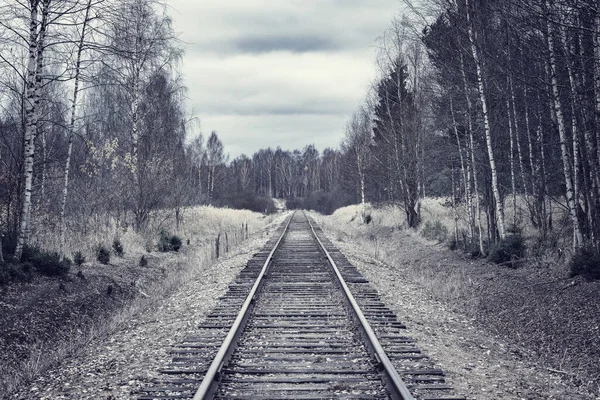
(236, 328)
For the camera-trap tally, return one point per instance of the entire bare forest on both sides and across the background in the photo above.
(494, 106)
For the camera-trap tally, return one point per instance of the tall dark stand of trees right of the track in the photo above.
(496, 103)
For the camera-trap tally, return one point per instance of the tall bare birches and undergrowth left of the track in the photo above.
(92, 117)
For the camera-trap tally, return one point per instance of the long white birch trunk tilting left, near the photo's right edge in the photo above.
(568, 174)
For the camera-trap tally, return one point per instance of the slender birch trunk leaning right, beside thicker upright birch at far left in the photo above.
(70, 133)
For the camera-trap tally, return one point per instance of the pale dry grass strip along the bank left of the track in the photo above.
(201, 225)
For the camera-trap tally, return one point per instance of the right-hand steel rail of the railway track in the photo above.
(396, 381)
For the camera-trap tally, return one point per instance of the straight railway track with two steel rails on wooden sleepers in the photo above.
(300, 322)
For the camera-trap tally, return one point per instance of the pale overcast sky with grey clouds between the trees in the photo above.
(278, 72)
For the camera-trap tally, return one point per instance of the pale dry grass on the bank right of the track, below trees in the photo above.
(381, 239)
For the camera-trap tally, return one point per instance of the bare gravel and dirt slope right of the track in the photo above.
(500, 333)
